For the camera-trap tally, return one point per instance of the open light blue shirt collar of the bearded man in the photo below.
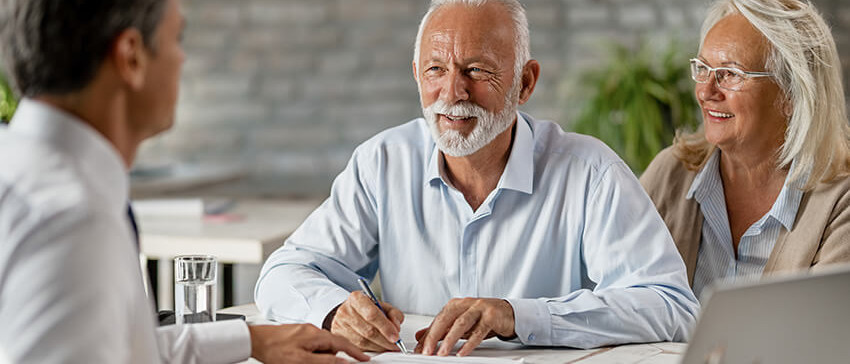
(519, 171)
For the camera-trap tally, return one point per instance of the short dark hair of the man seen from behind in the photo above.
(56, 46)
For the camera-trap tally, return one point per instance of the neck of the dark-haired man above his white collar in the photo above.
(103, 111)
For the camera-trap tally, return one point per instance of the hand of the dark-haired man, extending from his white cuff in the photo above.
(303, 343)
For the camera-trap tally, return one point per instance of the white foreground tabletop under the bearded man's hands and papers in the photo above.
(655, 353)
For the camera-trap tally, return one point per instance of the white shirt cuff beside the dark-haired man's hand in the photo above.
(226, 341)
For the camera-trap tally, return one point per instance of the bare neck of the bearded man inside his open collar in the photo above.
(478, 174)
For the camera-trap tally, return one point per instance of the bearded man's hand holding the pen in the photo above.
(363, 323)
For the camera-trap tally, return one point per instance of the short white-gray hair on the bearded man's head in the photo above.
(522, 50)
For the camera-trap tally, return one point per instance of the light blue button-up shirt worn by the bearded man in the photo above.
(568, 237)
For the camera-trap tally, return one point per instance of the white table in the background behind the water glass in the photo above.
(259, 227)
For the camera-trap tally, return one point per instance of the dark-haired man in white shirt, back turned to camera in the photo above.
(98, 78)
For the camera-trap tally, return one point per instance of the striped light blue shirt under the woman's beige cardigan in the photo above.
(716, 258)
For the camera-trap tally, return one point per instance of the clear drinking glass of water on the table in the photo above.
(194, 288)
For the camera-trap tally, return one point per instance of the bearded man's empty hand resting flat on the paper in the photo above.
(473, 319)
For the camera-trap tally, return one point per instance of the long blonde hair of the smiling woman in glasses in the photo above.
(804, 63)
